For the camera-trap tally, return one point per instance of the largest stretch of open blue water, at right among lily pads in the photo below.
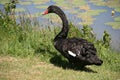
(99, 25)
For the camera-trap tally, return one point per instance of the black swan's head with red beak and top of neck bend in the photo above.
(53, 9)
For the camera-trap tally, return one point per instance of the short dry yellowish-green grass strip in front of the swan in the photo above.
(15, 68)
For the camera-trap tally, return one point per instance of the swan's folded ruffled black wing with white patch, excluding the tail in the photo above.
(78, 47)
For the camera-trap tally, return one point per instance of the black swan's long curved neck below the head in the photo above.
(63, 33)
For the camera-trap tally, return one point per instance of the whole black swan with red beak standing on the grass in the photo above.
(76, 50)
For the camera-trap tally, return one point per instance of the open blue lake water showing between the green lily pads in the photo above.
(98, 24)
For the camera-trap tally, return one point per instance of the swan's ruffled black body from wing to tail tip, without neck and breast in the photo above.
(80, 51)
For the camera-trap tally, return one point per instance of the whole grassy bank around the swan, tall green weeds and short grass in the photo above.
(27, 53)
